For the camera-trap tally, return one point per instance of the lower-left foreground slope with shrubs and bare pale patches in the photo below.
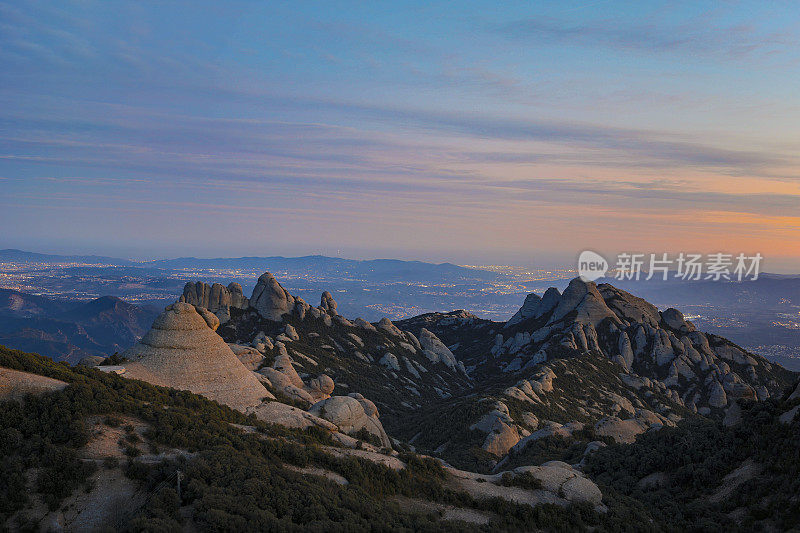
(64, 451)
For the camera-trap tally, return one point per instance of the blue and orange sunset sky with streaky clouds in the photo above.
(471, 132)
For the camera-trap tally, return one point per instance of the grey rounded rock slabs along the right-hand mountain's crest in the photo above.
(701, 372)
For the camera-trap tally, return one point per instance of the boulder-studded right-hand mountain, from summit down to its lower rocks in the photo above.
(594, 362)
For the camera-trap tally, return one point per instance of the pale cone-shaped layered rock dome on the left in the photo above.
(182, 351)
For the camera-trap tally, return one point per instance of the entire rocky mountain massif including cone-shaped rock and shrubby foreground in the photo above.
(588, 410)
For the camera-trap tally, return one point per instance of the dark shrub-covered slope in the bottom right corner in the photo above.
(705, 476)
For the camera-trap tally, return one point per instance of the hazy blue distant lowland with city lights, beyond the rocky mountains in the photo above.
(762, 316)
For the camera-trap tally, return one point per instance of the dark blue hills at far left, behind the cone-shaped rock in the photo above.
(67, 330)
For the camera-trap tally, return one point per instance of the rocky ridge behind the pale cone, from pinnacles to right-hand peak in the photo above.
(593, 362)
